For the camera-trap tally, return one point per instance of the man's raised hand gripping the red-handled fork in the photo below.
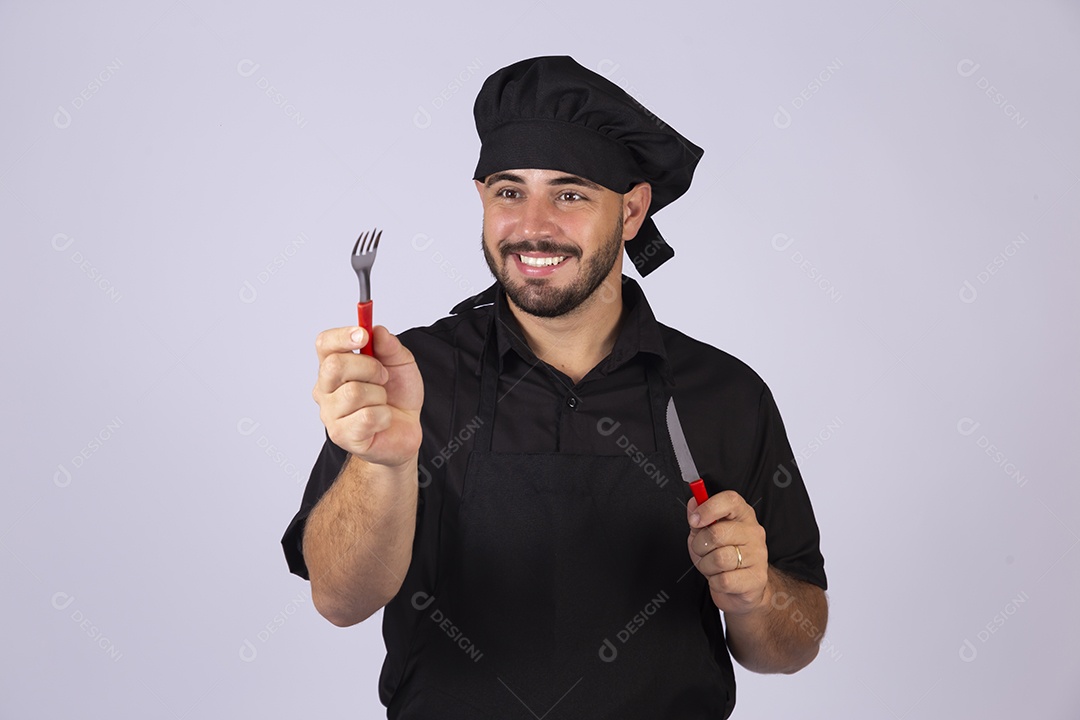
(371, 405)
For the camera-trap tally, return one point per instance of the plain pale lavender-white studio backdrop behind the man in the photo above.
(175, 238)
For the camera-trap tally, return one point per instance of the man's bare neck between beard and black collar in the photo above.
(576, 343)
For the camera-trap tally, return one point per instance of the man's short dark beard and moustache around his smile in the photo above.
(538, 296)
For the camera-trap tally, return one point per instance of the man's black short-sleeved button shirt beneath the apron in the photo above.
(731, 420)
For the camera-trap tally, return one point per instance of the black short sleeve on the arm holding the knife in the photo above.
(776, 491)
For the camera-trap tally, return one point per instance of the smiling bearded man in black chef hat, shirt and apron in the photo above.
(504, 482)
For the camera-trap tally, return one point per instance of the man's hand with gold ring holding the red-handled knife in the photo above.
(727, 545)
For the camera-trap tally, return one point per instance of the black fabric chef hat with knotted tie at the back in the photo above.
(553, 114)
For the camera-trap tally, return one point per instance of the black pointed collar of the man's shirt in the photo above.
(640, 334)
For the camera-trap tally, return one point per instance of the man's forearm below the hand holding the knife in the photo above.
(785, 632)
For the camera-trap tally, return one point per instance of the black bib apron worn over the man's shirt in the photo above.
(565, 591)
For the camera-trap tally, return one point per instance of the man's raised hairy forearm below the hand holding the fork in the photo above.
(358, 544)
